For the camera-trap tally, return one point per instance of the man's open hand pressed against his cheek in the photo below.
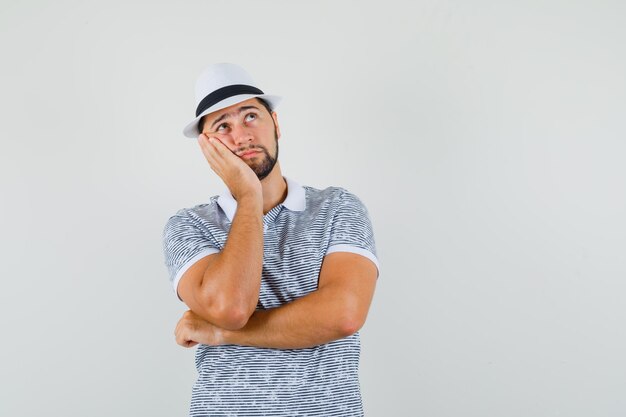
(236, 174)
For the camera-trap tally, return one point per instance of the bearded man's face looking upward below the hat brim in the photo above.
(247, 127)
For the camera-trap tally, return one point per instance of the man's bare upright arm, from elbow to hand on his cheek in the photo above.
(224, 288)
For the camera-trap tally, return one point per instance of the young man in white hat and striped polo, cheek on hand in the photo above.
(278, 277)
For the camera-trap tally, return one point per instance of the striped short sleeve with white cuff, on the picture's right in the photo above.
(351, 229)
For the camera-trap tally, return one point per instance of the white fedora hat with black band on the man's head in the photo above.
(220, 86)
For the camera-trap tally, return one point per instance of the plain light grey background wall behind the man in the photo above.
(486, 139)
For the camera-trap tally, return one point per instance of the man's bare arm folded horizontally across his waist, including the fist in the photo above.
(338, 308)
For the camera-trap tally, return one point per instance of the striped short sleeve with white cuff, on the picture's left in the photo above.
(184, 243)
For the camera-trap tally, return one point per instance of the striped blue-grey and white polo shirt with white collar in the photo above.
(238, 380)
